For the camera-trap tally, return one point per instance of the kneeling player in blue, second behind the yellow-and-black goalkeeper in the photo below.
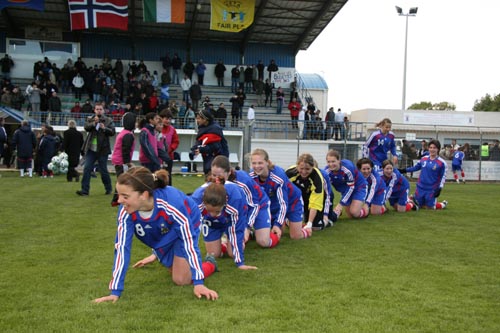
(376, 187)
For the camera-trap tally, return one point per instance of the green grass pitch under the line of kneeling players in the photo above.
(426, 271)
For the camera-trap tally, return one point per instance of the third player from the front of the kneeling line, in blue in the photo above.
(259, 215)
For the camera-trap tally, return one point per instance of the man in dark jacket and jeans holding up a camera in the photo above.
(97, 149)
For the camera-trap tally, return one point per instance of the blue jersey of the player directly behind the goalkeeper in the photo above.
(347, 180)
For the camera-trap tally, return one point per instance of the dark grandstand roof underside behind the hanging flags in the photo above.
(293, 23)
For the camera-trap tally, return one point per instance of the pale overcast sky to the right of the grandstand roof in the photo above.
(453, 54)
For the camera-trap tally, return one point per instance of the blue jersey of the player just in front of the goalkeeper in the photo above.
(285, 197)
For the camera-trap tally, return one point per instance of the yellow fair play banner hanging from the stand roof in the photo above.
(231, 15)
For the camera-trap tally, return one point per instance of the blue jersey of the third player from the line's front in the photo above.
(257, 200)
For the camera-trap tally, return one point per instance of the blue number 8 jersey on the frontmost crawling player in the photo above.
(175, 222)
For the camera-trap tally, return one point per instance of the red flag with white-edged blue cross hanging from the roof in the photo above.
(88, 14)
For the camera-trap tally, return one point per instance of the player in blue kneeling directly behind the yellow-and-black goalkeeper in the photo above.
(347, 180)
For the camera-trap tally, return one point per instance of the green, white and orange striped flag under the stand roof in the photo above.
(164, 11)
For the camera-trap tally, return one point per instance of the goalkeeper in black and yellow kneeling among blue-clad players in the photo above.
(309, 180)
